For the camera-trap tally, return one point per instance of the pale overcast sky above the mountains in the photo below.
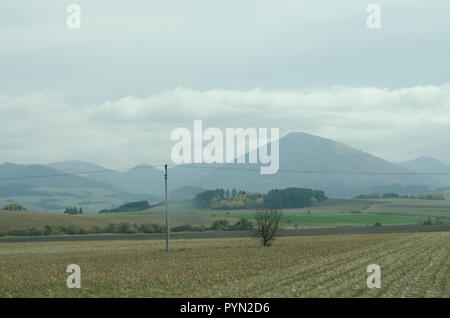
(112, 91)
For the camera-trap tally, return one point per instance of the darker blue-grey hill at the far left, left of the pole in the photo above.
(43, 188)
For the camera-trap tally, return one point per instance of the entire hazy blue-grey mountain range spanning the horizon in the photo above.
(305, 161)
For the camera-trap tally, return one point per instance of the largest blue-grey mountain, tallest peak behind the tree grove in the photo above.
(344, 171)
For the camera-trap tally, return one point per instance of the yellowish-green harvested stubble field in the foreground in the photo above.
(412, 265)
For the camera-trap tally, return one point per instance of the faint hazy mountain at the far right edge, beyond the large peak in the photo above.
(429, 165)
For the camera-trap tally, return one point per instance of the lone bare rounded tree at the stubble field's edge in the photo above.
(267, 224)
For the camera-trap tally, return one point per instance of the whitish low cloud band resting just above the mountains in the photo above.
(396, 124)
